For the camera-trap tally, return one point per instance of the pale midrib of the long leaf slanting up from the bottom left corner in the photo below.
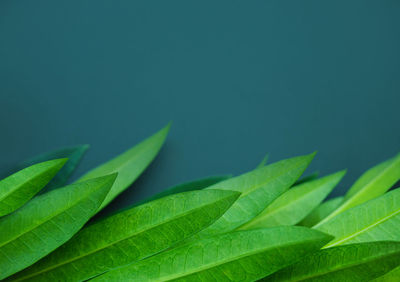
(115, 242)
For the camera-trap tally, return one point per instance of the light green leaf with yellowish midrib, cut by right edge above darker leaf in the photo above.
(377, 219)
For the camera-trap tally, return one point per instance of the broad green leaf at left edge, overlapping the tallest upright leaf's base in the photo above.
(47, 222)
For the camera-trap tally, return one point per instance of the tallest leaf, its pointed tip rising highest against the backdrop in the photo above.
(130, 164)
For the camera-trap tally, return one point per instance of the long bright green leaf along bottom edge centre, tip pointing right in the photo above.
(240, 256)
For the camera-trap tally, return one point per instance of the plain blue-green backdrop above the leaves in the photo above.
(237, 78)
